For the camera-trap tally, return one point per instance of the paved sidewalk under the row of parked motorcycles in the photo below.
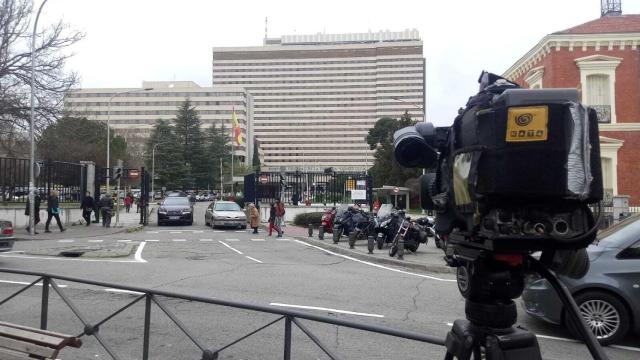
(427, 258)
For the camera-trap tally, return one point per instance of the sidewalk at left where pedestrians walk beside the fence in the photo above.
(76, 229)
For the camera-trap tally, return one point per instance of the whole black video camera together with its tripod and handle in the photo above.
(518, 172)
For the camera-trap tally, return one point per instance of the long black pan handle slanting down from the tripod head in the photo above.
(571, 309)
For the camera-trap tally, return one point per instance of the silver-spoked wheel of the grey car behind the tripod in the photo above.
(605, 315)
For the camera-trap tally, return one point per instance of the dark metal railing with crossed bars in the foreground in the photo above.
(151, 297)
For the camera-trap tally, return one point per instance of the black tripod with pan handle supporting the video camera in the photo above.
(488, 287)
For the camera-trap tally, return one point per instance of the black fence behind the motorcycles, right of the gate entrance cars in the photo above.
(297, 187)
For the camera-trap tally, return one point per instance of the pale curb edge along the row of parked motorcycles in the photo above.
(434, 268)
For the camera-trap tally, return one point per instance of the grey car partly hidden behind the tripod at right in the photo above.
(608, 295)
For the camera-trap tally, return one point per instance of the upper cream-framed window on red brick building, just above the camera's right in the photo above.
(598, 84)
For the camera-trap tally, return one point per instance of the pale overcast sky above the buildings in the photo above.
(128, 41)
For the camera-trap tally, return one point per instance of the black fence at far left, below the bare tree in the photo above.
(68, 179)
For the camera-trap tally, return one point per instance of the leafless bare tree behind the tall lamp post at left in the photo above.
(51, 79)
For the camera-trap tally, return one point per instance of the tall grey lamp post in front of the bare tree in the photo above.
(32, 160)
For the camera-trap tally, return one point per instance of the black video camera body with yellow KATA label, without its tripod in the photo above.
(518, 171)
